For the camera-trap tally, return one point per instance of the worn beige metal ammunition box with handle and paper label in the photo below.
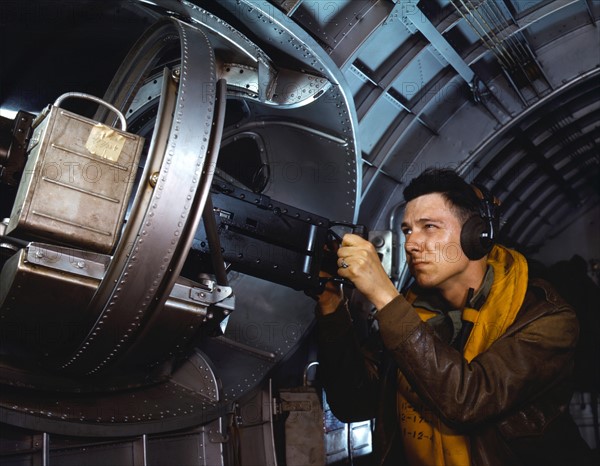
(76, 183)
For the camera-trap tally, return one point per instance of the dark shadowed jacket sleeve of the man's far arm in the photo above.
(347, 370)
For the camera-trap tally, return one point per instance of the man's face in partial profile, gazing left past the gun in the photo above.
(433, 251)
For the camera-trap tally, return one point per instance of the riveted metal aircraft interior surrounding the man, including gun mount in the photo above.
(172, 176)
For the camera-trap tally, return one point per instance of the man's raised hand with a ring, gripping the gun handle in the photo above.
(358, 262)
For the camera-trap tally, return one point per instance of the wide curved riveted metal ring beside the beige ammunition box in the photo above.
(157, 233)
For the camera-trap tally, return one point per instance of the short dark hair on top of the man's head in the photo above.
(450, 185)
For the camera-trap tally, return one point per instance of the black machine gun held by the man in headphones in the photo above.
(265, 238)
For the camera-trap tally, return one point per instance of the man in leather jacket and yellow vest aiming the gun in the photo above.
(472, 366)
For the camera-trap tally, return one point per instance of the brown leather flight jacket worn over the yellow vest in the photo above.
(511, 401)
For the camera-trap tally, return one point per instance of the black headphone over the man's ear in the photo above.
(478, 233)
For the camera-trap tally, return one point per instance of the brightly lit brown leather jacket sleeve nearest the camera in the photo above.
(530, 358)
